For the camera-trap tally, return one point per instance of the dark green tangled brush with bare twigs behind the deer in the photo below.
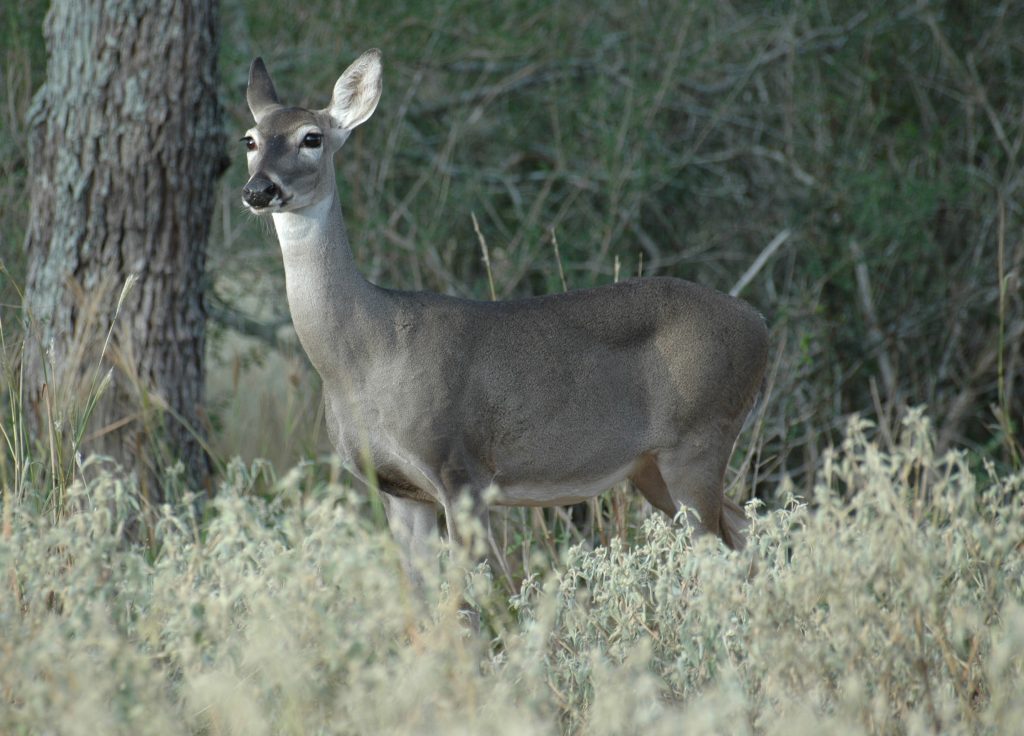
(681, 139)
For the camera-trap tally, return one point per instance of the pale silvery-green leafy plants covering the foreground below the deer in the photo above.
(902, 611)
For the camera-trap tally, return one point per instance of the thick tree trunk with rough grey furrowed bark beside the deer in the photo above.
(126, 143)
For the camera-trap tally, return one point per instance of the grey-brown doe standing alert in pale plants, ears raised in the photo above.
(544, 401)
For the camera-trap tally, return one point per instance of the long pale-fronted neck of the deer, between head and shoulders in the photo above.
(333, 308)
